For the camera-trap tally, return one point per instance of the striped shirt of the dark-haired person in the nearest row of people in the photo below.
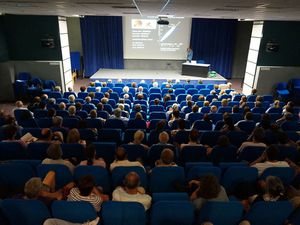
(95, 200)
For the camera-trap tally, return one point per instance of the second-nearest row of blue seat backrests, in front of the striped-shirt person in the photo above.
(160, 179)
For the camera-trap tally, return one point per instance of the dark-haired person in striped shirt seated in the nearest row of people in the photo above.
(87, 191)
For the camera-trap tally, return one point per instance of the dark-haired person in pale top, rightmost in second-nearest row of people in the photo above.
(268, 159)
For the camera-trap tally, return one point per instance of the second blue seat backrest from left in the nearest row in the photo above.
(73, 211)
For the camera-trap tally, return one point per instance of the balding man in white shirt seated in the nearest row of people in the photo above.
(132, 191)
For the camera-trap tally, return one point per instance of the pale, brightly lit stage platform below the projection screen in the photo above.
(160, 76)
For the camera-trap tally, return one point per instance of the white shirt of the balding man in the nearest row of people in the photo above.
(119, 194)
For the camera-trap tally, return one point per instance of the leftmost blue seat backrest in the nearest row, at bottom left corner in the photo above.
(26, 212)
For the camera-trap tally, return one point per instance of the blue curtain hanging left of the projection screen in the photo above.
(102, 43)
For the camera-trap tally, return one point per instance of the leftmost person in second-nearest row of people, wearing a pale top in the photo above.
(54, 154)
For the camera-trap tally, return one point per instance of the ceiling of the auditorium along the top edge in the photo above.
(228, 9)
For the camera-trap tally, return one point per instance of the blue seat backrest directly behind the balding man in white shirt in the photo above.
(120, 213)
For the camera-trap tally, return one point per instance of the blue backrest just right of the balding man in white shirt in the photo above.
(164, 179)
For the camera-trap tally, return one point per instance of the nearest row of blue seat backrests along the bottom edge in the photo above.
(163, 212)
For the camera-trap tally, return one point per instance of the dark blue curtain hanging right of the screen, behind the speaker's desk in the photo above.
(213, 41)
